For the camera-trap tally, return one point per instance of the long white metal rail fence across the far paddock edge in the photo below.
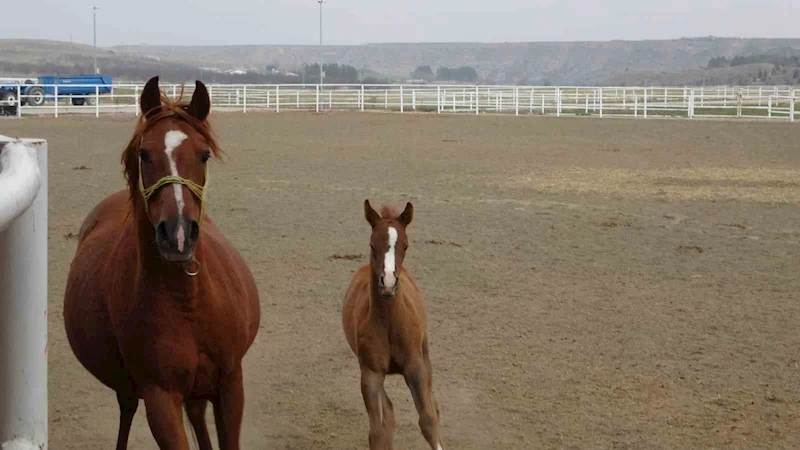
(755, 102)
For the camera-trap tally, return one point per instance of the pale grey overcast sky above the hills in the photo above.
(217, 22)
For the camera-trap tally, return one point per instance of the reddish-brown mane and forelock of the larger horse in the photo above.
(169, 108)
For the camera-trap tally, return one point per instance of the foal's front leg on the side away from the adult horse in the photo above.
(419, 378)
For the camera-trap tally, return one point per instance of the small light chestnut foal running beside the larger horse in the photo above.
(386, 325)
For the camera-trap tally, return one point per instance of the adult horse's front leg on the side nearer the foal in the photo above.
(228, 410)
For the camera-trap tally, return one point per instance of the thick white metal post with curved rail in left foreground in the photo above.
(23, 294)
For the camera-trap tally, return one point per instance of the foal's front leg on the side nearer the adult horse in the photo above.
(374, 399)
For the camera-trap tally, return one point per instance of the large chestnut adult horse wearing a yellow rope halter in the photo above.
(158, 305)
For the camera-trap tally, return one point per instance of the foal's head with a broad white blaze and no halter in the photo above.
(389, 244)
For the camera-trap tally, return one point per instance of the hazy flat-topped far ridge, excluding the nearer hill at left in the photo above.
(534, 62)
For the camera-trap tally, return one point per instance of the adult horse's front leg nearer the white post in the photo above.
(165, 417)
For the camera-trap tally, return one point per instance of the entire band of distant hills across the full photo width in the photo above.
(584, 63)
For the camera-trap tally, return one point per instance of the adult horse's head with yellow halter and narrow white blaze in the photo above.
(165, 164)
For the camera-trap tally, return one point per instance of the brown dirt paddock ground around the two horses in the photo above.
(591, 283)
